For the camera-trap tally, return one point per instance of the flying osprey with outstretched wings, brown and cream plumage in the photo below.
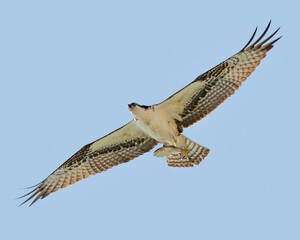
(161, 123)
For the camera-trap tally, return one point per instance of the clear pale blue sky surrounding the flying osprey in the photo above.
(68, 71)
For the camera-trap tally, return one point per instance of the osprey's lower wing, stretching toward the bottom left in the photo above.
(120, 146)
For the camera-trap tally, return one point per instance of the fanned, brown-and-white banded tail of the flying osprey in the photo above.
(195, 154)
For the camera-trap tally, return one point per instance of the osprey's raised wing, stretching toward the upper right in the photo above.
(210, 89)
